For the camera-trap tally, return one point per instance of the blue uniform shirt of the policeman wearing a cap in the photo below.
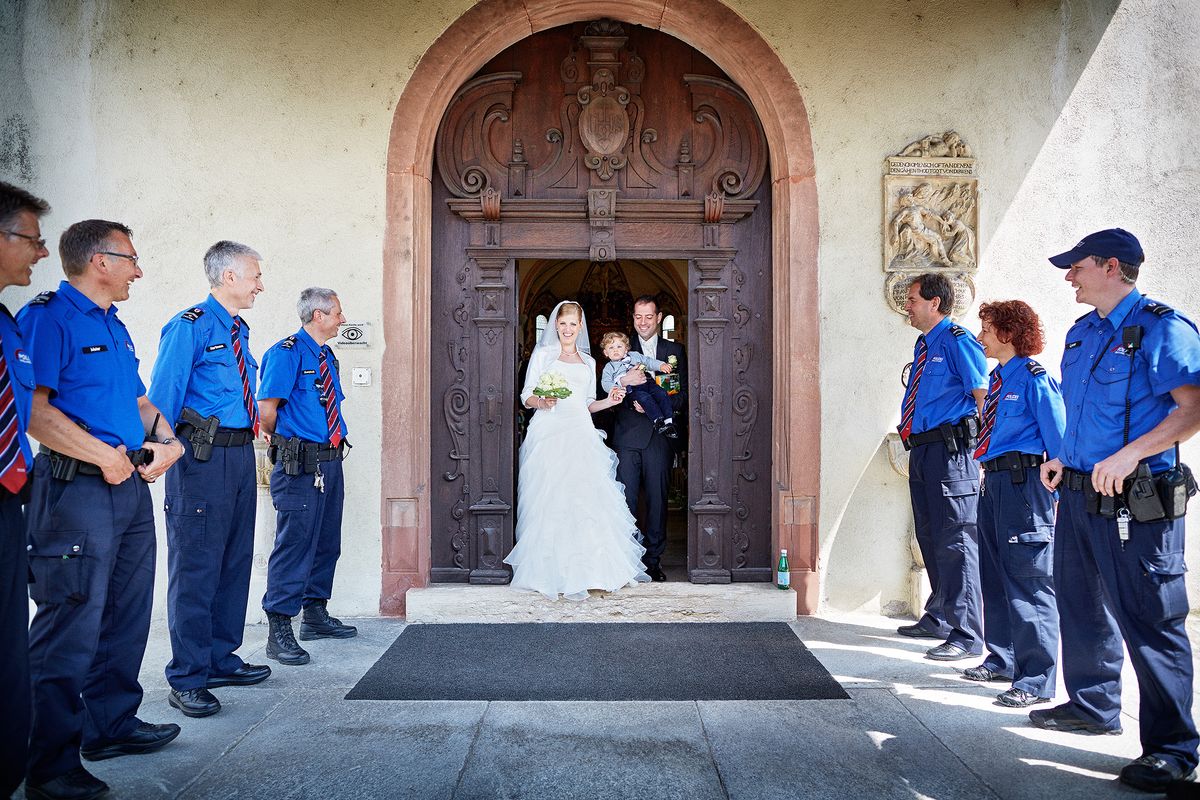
(1169, 358)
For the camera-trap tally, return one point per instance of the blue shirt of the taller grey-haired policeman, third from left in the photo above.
(196, 366)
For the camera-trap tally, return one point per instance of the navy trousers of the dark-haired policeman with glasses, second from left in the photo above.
(93, 558)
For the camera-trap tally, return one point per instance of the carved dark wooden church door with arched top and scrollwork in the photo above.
(595, 142)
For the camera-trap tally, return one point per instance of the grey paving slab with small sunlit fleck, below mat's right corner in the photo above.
(868, 747)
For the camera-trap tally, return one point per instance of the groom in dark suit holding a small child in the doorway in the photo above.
(645, 456)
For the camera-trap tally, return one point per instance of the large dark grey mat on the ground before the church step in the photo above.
(598, 661)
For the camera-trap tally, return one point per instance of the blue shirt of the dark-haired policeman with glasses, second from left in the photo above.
(86, 358)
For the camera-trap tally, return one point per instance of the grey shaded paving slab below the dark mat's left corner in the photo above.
(322, 747)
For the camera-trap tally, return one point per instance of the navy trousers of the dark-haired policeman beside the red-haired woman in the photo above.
(945, 491)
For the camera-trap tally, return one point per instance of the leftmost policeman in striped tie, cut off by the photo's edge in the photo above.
(21, 248)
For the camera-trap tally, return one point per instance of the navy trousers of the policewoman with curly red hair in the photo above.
(1021, 619)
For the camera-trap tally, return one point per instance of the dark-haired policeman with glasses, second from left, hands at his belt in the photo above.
(92, 538)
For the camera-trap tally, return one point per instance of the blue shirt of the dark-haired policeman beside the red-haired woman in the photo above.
(955, 366)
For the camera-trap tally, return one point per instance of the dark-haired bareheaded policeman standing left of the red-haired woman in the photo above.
(939, 425)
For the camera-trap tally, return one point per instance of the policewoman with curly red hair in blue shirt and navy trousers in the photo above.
(1023, 420)
